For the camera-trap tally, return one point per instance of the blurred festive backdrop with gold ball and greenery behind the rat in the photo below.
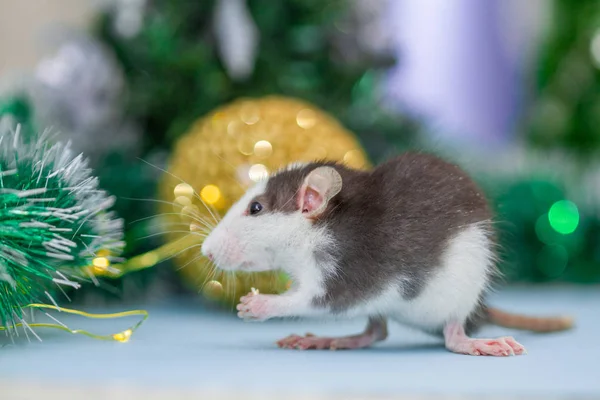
(222, 92)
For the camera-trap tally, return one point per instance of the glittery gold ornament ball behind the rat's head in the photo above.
(227, 151)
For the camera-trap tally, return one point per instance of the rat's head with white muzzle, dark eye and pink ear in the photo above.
(274, 221)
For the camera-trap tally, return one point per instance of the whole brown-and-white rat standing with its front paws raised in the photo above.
(411, 240)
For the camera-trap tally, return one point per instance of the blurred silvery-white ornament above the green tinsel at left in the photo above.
(79, 91)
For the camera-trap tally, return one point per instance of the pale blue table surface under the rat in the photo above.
(184, 346)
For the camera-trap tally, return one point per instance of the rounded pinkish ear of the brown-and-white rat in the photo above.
(318, 188)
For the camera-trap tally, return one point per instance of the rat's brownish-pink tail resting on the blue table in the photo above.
(535, 324)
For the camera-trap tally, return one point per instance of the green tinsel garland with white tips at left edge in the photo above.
(53, 222)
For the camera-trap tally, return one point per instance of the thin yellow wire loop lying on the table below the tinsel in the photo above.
(122, 336)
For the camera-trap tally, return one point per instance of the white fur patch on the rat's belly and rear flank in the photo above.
(451, 295)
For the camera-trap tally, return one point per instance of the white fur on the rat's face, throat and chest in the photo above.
(270, 241)
